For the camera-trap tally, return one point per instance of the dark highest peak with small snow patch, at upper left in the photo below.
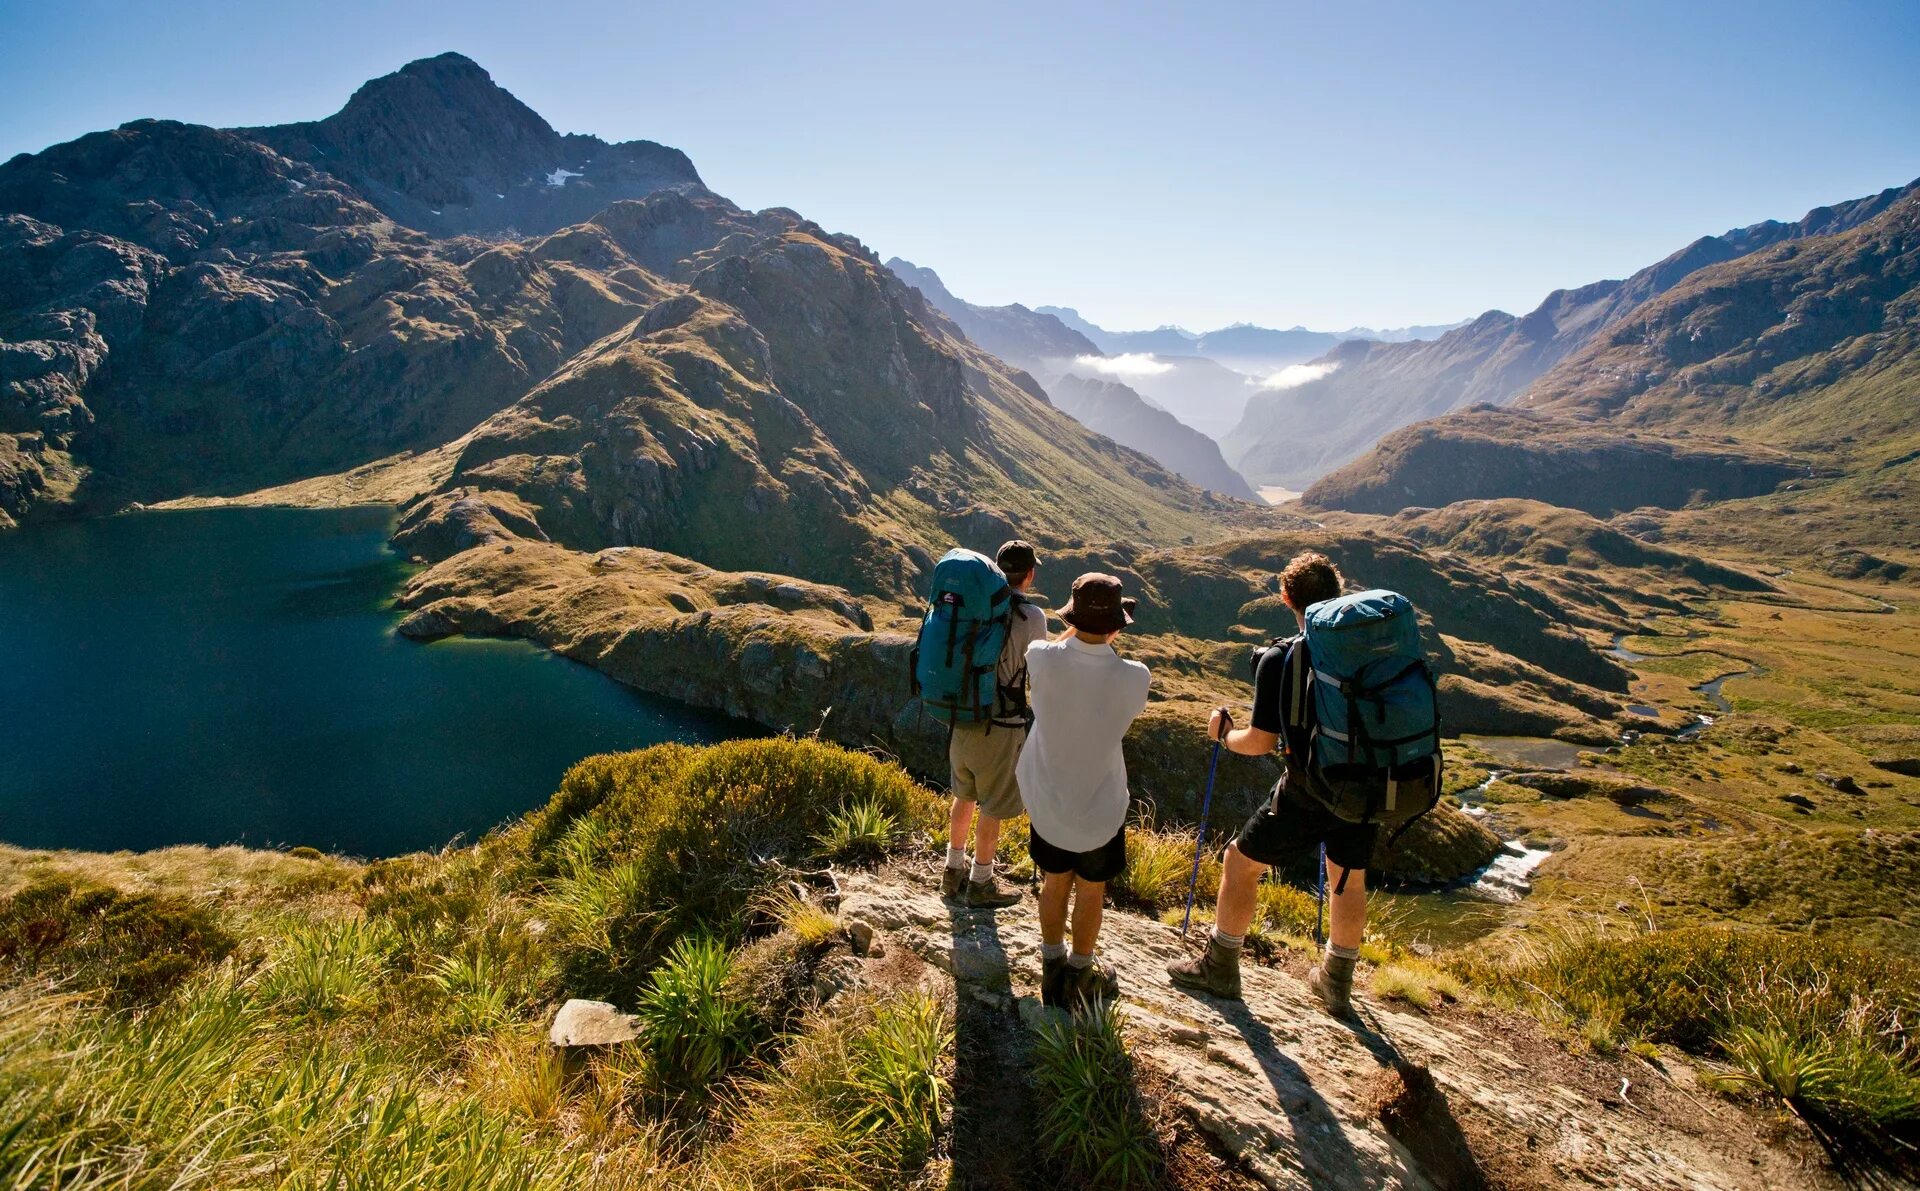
(439, 147)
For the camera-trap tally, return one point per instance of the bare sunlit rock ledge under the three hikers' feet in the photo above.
(1301, 1100)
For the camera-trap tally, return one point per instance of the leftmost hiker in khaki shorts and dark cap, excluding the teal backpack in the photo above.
(982, 754)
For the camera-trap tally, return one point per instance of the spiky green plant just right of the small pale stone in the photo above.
(694, 1023)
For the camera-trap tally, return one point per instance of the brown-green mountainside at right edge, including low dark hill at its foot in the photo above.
(1796, 362)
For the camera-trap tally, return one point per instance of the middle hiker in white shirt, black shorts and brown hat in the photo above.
(1074, 781)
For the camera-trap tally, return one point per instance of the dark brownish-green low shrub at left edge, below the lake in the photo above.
(137, 948)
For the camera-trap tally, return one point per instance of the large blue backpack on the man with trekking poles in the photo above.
(1374, 744)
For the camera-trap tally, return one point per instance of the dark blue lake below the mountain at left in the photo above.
(233, 677)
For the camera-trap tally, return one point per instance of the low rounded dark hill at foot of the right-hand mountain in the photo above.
(1495, 454)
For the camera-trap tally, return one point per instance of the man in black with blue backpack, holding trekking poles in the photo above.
(1353, 706)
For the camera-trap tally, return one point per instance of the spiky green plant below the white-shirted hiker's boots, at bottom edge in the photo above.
(1092, 1107)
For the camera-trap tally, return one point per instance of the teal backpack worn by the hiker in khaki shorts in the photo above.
(971, 610)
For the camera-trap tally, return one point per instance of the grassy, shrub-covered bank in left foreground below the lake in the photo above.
(385, 1025)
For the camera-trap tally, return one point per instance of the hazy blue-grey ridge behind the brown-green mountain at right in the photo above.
(1301, 433)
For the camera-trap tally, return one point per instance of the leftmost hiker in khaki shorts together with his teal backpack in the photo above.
(972, 673)
